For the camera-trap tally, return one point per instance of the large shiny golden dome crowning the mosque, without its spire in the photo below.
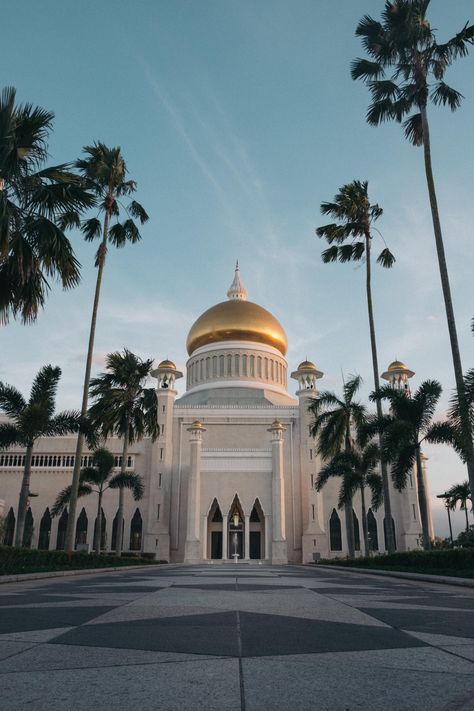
(237, 320)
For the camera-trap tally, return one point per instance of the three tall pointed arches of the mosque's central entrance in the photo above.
(235, 534)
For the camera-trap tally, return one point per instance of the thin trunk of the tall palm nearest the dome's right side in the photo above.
(375, 365)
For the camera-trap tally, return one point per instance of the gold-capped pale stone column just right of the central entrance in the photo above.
(279, 544)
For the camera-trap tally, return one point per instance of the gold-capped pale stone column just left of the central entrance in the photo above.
(192, 549)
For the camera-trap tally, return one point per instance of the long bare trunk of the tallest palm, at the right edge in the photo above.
(443, 270)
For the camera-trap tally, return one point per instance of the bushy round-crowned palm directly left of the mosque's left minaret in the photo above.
(124, 407)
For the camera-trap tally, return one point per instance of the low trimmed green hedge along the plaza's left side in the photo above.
(29, 560)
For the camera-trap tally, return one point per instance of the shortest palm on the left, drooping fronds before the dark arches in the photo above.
(101, 477)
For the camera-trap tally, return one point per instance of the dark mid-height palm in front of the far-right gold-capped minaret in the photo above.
(403, 430)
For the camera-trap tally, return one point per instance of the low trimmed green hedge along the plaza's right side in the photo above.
(451, 561)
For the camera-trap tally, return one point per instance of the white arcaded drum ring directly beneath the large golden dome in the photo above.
(235, 365)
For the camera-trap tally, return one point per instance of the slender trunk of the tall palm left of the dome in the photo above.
(85, 392)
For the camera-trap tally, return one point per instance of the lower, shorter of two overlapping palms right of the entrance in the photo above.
(357, 468)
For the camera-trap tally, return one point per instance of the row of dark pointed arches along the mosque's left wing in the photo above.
(82, 530)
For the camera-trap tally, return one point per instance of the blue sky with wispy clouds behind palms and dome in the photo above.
(237, 118)
